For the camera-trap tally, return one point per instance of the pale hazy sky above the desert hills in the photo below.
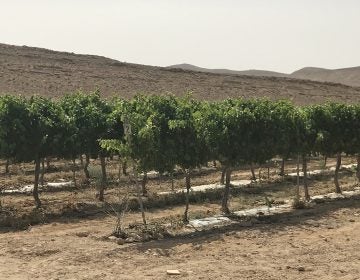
(279, 35)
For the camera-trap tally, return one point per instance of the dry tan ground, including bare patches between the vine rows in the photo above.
(321, 242)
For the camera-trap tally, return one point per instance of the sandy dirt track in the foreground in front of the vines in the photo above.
(320, 243)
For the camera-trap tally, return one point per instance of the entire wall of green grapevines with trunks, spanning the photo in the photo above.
(161, 132)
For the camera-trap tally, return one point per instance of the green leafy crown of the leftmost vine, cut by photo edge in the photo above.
(30, 128)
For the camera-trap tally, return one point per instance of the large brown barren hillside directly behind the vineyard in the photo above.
(27, 70)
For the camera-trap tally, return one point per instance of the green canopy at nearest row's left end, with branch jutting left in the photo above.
(160, 133)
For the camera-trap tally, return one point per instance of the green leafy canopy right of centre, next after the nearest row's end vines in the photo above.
(242, 131)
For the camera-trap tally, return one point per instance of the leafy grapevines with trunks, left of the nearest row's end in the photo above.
(35, 128)
